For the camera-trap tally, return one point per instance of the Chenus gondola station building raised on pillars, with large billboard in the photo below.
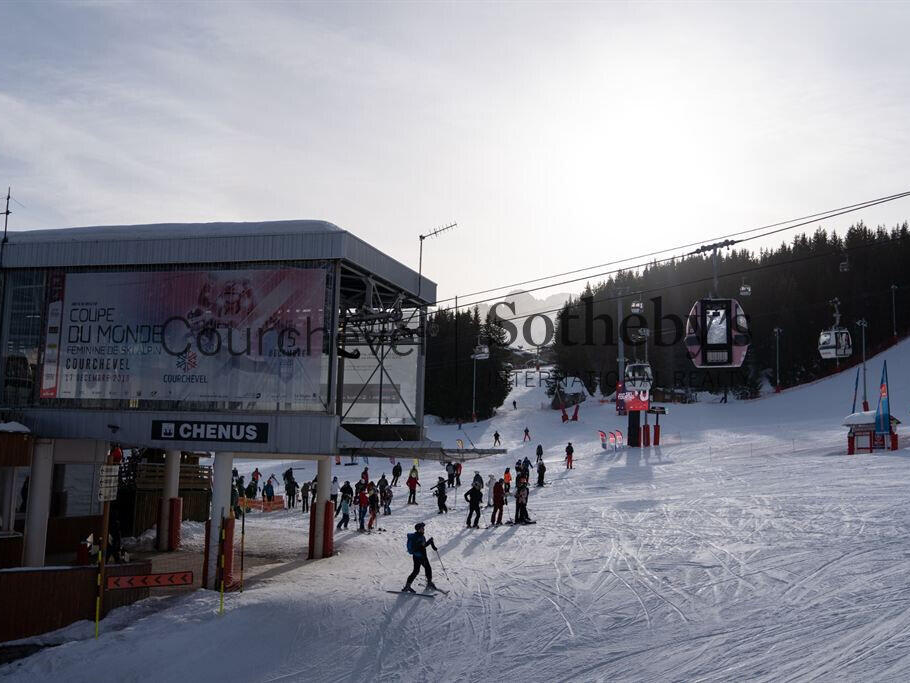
(279, 340)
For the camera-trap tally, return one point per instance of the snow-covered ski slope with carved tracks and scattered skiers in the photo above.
(748, 547)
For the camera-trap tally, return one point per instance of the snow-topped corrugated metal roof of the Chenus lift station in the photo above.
(171, 243)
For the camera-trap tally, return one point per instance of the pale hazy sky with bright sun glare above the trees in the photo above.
(557, 136)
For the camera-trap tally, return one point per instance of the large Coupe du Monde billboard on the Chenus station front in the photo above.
(253, 336)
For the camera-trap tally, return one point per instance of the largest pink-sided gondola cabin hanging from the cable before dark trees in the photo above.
(717, 334)
